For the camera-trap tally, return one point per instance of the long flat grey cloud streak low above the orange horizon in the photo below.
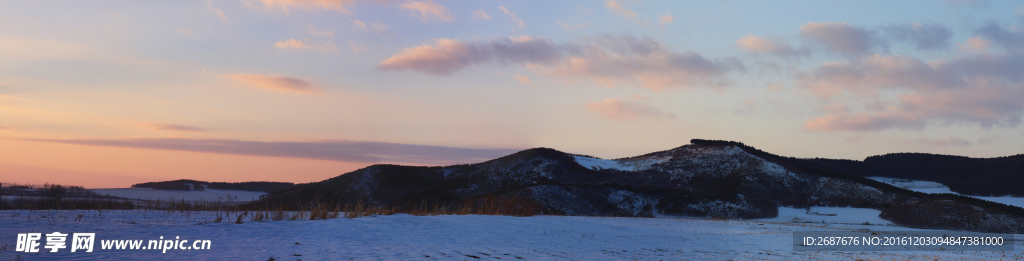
(339, 151)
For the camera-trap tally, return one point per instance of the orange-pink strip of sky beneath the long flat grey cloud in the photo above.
(100, 167)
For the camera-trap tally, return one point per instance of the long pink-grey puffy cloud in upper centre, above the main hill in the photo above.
(609, 61)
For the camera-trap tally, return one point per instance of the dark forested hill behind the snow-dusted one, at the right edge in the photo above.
(985, 178)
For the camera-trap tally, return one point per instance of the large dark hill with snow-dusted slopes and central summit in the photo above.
(707, 179)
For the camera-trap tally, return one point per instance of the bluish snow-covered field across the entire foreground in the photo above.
(460, 238)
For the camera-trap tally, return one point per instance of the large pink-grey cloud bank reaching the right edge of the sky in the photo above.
(984, 90)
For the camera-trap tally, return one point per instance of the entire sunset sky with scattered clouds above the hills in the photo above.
(111, 94)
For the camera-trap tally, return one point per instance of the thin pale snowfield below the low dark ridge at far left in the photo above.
(208, 195)
